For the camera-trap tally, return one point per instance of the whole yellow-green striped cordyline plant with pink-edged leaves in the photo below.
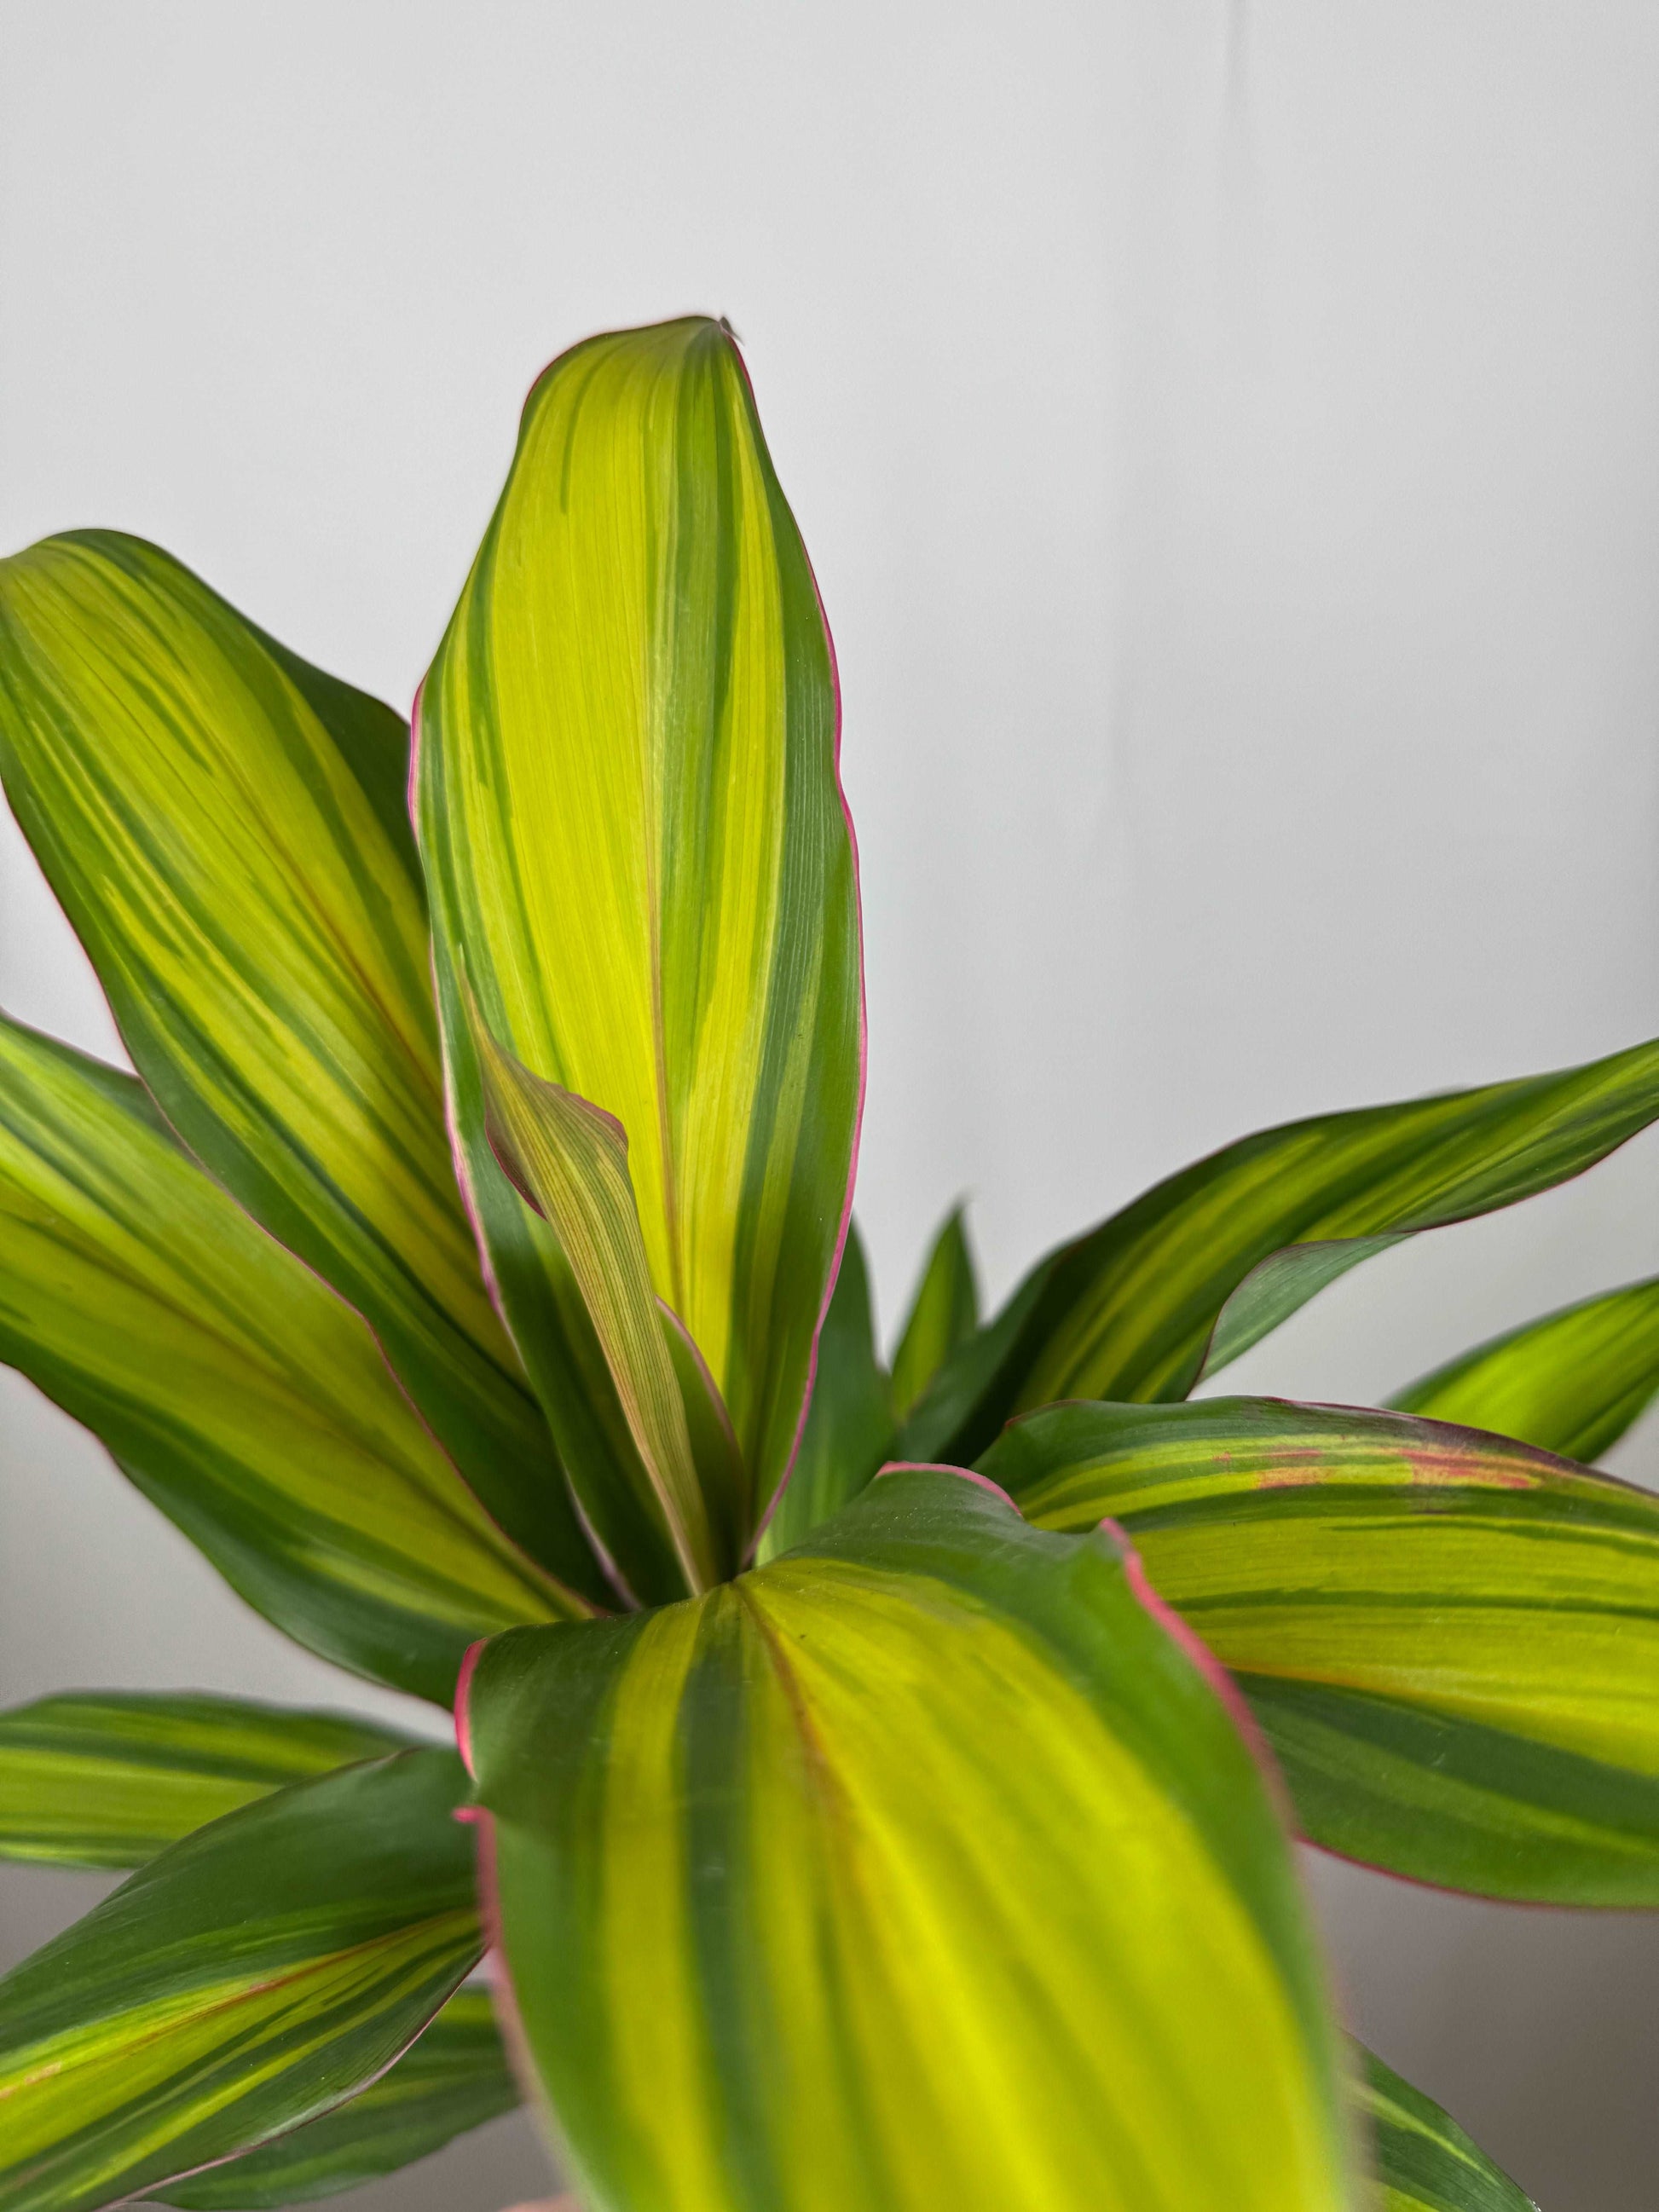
(877, 1786)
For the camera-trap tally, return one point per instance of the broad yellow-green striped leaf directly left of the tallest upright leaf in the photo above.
(227, 833)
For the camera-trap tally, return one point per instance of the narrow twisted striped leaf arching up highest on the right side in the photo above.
(1207, 1264)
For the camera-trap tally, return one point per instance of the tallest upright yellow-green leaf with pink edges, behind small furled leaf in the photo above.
(643, 866)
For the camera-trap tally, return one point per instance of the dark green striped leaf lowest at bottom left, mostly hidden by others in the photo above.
(455, 2078)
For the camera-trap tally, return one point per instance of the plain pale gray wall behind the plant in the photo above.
(1229, 441)
